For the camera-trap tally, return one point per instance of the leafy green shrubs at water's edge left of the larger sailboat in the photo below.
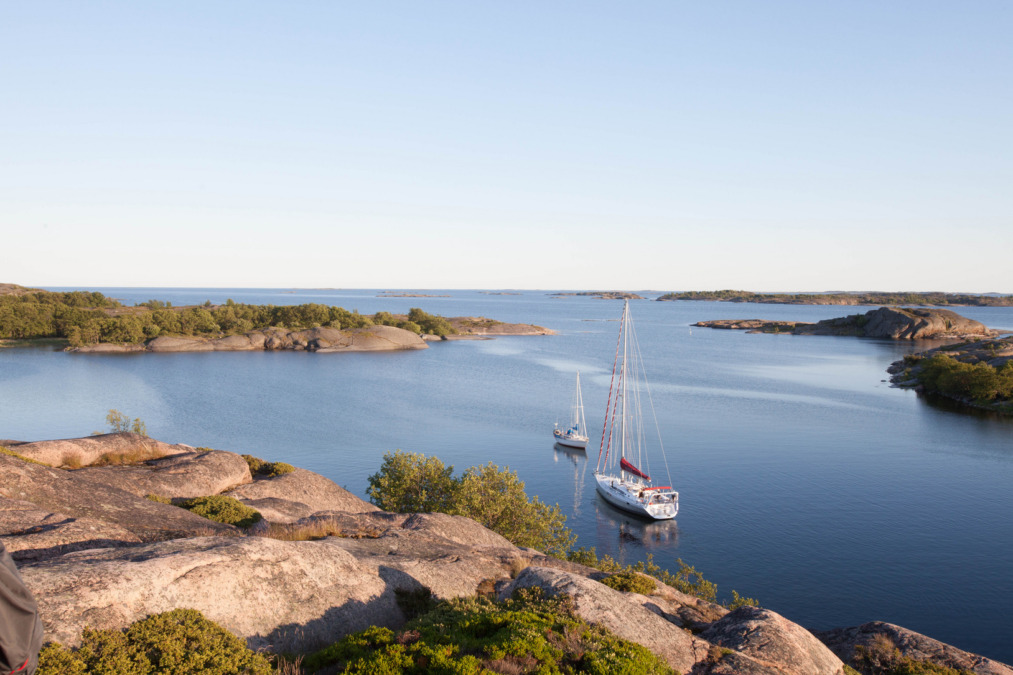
(412, 483)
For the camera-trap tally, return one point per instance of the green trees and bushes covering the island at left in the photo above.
(89, 319)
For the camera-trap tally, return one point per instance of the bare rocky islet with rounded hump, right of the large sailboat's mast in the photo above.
(890, 323)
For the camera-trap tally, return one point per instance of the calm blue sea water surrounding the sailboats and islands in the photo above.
(806, 481)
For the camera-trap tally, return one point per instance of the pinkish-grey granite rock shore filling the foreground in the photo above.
(97, 528)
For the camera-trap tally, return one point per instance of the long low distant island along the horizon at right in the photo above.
(867, 298)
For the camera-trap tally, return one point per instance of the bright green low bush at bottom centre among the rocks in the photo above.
(526, 634)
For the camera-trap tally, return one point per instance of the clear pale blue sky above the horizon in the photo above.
(670, 145)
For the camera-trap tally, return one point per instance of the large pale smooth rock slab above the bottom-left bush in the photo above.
(279, 595)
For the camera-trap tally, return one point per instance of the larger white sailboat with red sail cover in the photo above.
(621, 475)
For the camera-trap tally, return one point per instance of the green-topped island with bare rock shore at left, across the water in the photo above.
(90, 322)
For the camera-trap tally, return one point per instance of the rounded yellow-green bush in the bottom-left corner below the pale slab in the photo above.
(181, 642)
